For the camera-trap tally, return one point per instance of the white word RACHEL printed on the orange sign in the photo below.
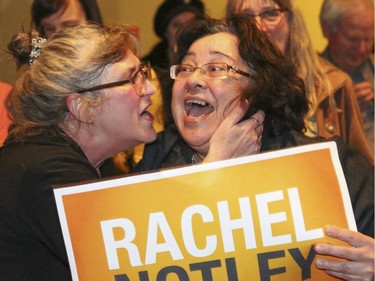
(158, 224)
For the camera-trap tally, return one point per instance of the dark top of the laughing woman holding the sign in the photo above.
(170, 150)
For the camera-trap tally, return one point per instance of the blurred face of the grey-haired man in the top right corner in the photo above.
(353, 41)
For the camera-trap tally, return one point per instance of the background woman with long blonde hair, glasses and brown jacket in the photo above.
(334, 110)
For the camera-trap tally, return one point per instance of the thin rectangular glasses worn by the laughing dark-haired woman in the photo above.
(216, 70)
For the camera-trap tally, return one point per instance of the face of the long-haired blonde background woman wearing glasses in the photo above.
(270, 18)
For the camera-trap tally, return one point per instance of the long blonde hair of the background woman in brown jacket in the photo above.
(299, 51)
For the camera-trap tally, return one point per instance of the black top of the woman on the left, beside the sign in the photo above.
(31, 242)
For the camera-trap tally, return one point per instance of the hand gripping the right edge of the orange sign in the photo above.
(358, 256)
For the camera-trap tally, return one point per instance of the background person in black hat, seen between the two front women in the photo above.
(170, 16)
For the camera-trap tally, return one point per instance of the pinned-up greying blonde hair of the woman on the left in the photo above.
(72, 59)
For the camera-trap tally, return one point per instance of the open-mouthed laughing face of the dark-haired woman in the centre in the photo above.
(199, 105)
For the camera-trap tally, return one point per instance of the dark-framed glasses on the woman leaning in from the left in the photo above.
(138, 81)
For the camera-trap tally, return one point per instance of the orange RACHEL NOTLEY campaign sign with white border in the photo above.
(250, 218)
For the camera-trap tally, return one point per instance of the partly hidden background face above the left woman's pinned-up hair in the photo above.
(71, 14)
